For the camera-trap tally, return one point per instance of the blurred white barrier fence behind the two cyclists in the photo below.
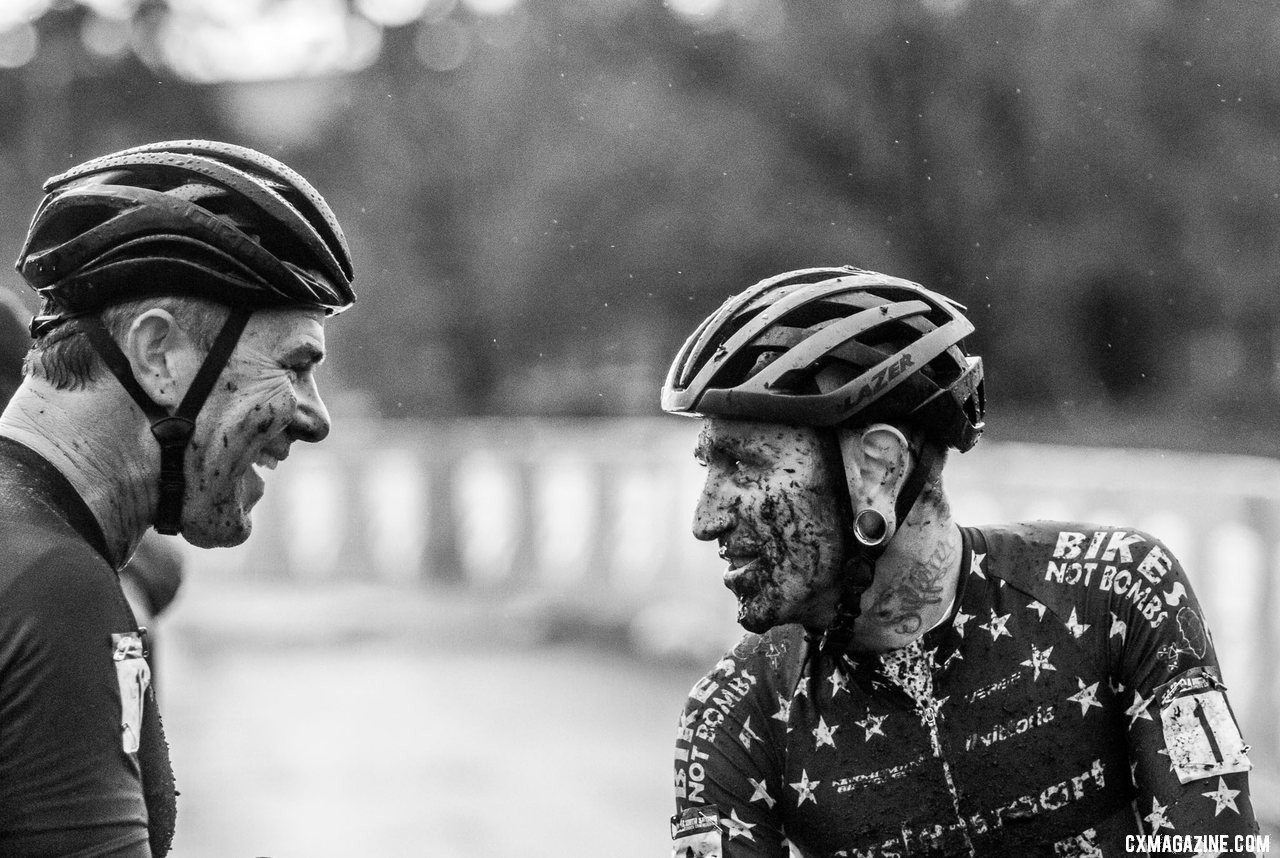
(598, 514)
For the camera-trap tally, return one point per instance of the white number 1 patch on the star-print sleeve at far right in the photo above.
(1200, 732)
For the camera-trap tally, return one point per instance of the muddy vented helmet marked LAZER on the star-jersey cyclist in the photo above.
(767, 354)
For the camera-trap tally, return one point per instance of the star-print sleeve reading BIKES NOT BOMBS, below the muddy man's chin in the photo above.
(728, 773)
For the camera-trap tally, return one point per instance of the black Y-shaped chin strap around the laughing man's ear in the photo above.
(172, 431)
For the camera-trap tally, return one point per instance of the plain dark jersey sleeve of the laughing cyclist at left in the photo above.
(72, 686)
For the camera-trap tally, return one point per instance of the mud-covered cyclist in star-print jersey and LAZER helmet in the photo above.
(913, 687)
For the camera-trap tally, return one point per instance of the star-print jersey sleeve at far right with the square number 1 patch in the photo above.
(1188, 759)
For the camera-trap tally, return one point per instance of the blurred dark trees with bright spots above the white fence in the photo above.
(545, 197)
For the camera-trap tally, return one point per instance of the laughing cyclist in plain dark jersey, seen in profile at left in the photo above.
(185, 289)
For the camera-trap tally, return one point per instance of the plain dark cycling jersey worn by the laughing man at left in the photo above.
(79, 728)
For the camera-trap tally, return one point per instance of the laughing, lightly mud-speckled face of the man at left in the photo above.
(264, 400)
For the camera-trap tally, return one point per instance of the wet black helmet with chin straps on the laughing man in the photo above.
(189, 218)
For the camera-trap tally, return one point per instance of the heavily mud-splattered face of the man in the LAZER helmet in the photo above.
(771, 505)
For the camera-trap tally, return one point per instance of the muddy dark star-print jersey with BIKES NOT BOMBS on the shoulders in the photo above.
(1071, 700)
